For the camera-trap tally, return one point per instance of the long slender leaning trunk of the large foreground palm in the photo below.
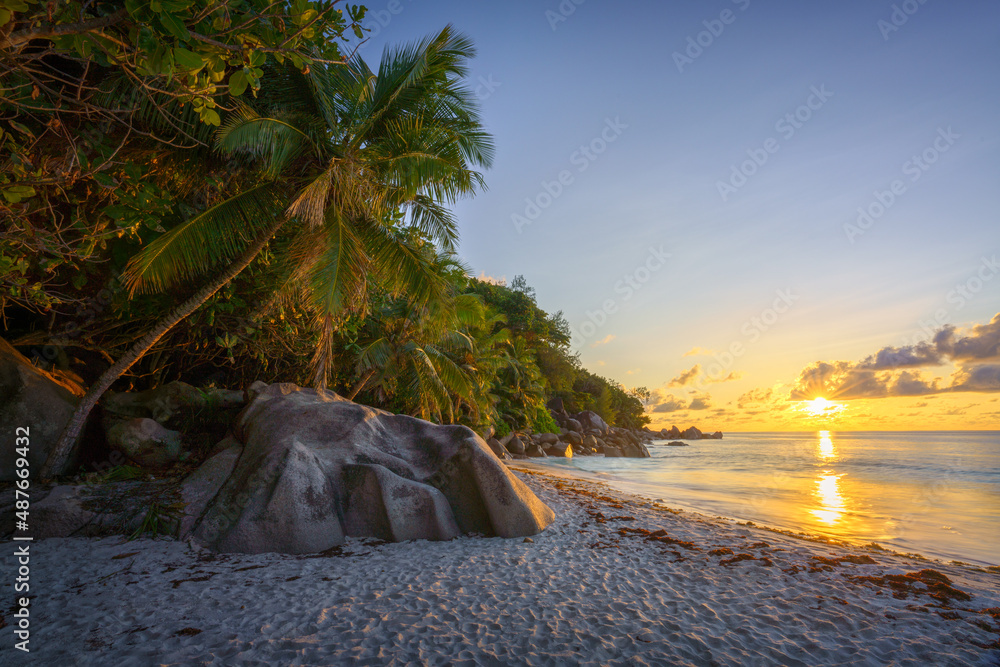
(68, 439)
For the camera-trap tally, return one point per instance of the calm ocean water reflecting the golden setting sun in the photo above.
(933, 493)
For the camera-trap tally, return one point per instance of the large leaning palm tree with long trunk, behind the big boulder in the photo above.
(364, 156)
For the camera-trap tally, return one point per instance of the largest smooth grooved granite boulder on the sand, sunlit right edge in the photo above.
(316, 468)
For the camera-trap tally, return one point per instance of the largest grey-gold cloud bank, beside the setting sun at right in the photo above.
(893, 371)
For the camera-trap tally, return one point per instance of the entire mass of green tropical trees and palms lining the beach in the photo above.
(236, 196)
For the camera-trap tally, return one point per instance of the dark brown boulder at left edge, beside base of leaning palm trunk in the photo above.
(33, 400)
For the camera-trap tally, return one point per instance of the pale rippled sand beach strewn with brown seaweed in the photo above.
(601, 586)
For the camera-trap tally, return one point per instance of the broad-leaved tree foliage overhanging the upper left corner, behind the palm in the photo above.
(109, 98)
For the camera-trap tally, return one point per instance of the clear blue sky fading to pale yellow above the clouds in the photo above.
(671, 134)
